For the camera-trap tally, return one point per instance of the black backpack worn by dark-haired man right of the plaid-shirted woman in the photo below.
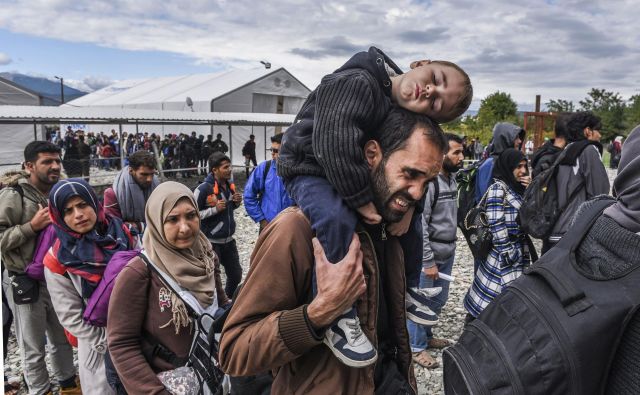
(540, 209)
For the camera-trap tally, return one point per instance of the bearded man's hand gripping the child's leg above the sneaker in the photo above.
(339, 285)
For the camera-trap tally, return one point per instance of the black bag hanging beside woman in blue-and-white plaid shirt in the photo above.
(476, 228)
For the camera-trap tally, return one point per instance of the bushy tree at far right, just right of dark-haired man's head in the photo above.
(610, 107)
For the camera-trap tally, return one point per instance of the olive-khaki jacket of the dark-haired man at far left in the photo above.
(17, 238)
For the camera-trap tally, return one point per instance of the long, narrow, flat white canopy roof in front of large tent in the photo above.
(112, 115)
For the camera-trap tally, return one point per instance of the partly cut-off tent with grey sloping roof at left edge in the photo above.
(14, 137)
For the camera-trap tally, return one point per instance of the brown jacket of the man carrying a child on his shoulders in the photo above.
(267, 329)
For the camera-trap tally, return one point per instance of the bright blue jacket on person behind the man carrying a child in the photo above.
(264, 198)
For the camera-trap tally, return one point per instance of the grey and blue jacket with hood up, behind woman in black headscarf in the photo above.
(504, 136)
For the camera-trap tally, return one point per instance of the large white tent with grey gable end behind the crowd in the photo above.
(257, 90)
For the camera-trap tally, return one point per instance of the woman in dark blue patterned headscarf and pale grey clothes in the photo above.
(86, 242)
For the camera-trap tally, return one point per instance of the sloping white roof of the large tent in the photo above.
(199, 87)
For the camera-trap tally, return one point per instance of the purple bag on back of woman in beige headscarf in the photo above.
(98, 304)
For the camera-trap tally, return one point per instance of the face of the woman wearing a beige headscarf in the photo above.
(182, 225)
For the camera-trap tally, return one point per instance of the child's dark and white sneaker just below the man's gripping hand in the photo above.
(348, 343)
